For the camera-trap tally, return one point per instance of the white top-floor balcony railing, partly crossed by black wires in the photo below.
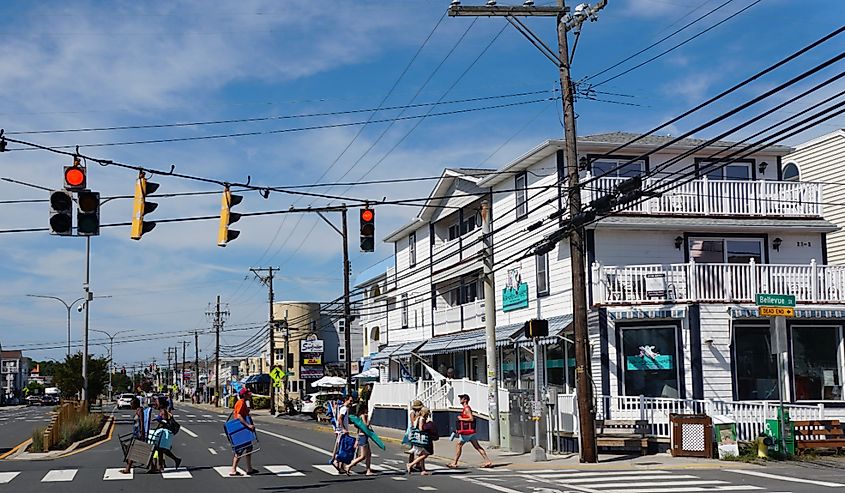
(706, 197)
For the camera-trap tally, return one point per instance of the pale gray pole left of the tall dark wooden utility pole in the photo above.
(490, 326)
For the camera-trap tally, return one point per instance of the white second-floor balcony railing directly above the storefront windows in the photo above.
(735, 283)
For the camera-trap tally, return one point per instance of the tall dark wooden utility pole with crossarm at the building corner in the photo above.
(565, 23)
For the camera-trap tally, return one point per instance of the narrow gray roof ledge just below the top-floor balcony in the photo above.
(718, 223)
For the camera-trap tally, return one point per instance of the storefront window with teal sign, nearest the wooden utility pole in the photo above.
(650, 361)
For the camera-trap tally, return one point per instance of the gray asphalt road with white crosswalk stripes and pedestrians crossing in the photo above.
(294, 457)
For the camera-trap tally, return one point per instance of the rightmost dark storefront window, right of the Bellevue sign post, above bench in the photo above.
(817, 362)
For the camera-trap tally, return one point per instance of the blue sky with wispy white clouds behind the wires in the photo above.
(73, 64)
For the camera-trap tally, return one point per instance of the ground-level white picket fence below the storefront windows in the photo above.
(750, 416)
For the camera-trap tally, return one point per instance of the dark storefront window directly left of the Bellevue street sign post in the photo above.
(756, 366)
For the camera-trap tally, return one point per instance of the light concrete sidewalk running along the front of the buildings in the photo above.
(444, 450)
